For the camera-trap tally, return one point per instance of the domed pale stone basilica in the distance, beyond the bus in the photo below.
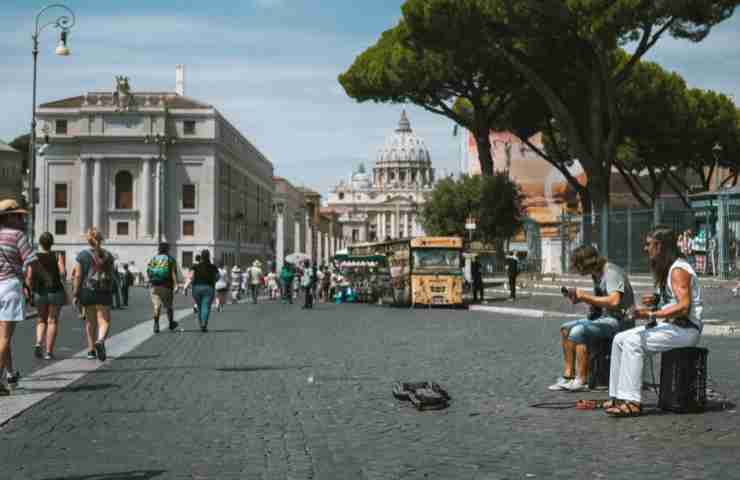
(386, 203)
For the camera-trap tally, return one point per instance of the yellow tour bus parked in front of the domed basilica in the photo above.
(424, 271)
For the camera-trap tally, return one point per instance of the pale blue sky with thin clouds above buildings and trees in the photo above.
(270, 67)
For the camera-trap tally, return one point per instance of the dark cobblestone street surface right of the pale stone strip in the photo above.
(273, 391)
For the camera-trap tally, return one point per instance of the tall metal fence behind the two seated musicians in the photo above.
(715, 224)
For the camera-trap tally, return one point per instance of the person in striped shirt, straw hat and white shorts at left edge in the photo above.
(16, 255)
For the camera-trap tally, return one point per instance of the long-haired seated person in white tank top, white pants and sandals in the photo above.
(678, 322)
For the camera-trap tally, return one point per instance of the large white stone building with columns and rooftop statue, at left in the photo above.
(214, 188)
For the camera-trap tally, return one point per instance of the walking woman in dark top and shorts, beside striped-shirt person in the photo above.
(48, 296)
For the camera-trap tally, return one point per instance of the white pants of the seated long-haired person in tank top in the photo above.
(628, 352)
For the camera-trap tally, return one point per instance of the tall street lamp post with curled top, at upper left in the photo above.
(64, 23)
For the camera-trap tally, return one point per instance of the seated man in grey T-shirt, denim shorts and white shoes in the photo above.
(614, 296)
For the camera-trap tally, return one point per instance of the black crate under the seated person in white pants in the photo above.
(683, 380)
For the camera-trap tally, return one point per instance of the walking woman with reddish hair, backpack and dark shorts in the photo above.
(93, 289)
